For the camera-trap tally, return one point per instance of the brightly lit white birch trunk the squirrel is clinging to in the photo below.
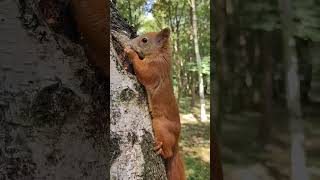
(131, 131)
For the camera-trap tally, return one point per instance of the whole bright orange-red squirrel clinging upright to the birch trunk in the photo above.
(150, 55)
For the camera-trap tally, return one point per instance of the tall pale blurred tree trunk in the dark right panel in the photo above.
(298, 160)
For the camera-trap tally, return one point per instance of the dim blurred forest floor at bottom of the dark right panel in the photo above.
(243, 157)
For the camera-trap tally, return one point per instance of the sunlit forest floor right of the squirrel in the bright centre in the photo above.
(195, 140)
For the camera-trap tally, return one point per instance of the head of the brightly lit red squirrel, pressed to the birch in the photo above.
(150, 43)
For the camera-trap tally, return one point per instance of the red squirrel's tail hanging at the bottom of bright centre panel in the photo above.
(175, 167)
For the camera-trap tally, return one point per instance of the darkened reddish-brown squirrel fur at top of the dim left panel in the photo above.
(91, 18)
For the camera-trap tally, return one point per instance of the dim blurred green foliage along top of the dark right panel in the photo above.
(265, 15)
